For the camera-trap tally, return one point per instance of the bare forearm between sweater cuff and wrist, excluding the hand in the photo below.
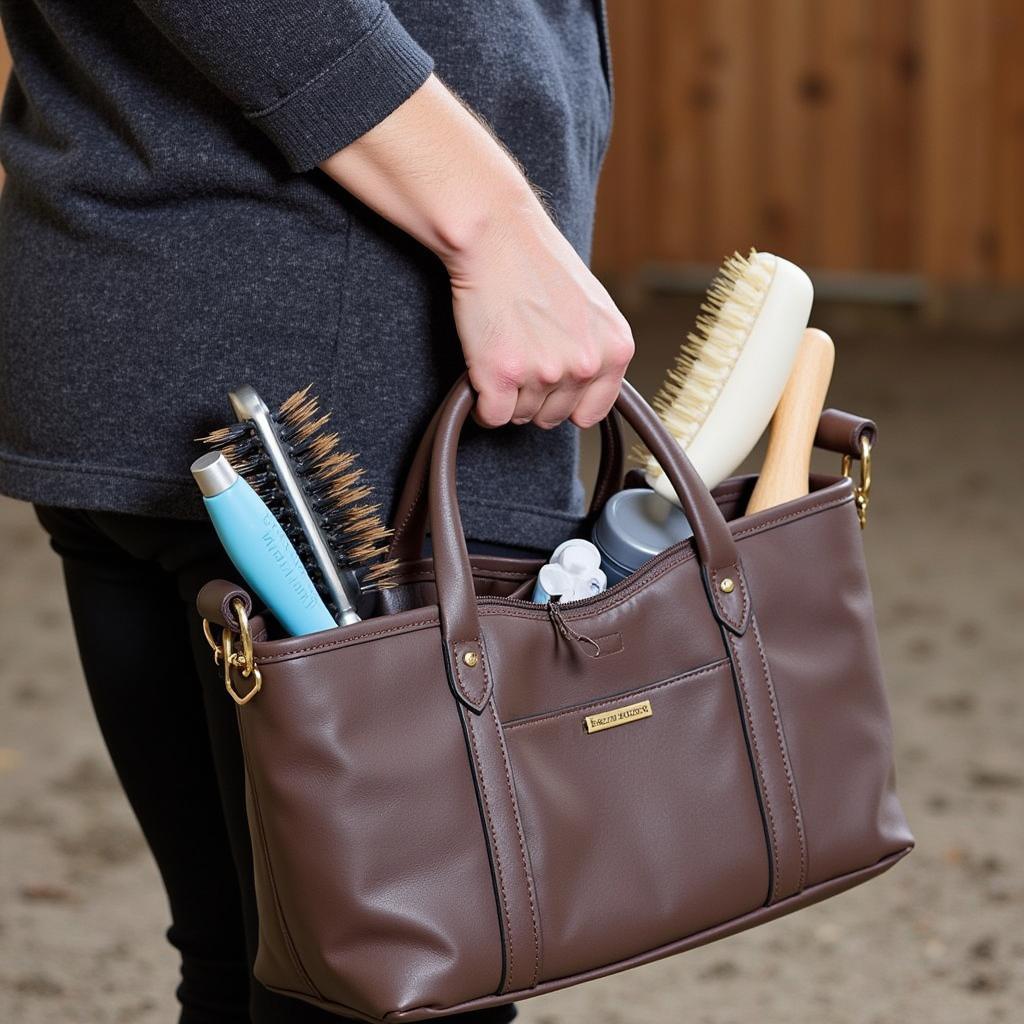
(436, 172)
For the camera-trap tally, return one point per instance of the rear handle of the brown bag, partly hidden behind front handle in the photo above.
(410, 522)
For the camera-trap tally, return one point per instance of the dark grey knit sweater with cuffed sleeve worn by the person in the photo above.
(165, 236)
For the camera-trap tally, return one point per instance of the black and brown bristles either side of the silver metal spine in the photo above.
(330, 478)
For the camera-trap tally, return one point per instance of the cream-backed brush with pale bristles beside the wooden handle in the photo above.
(732, 370)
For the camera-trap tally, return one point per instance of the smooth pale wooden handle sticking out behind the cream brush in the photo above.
(788, 462)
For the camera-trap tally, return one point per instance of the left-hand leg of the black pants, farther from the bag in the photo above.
(136, 654)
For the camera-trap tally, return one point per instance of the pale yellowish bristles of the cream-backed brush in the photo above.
(708, 356)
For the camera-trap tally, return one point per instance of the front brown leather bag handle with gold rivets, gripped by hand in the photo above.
(464, 644)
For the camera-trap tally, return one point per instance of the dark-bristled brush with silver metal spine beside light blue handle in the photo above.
(314, 489)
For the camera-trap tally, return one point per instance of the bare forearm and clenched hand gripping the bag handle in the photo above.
(542, 338)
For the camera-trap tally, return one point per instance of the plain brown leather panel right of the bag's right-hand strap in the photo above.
(821, 639)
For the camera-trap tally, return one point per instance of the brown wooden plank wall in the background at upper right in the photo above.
(849, 136)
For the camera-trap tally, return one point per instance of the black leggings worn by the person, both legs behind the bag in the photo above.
(172, 733)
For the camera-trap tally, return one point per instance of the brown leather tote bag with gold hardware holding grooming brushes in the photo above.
(471, 799)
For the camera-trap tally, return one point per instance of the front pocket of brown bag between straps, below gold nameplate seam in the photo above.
(644, 833)
